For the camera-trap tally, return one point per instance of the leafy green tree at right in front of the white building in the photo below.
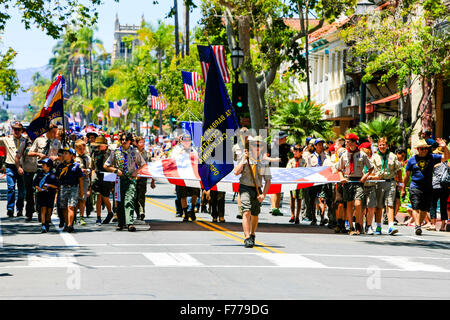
(403, 43)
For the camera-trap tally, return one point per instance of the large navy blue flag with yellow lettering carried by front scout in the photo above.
(218, 130)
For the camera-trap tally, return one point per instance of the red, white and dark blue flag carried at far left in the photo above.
(52, 109)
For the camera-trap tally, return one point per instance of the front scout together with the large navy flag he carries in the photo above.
(218, 118)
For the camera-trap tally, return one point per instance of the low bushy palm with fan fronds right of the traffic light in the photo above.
(302, 119)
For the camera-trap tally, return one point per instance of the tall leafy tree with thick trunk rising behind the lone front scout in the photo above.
(258, 27)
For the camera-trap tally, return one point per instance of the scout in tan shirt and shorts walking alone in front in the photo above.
(252, 170)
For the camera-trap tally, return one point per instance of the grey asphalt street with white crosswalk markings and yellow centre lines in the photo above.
(204, 260)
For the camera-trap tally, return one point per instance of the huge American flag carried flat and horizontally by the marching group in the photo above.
(183, 172)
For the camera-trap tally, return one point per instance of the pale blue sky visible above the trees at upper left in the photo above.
(34, 47)
